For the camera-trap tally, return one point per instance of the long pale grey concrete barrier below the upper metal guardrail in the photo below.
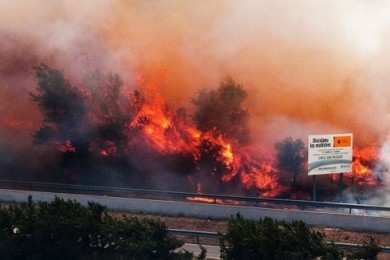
(203, 210)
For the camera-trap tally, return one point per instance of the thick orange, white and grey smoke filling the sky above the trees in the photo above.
(308, 67)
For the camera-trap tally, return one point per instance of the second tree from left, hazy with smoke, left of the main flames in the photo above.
(112, 108)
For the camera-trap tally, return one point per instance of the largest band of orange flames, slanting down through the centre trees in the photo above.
(168, 134)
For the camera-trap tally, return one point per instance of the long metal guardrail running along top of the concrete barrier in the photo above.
(214, 198)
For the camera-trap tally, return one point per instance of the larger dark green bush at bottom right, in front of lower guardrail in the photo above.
(270, 239)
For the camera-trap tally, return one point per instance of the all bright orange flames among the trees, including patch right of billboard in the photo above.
(171, 133)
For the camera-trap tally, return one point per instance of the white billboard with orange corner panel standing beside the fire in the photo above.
(330, 154)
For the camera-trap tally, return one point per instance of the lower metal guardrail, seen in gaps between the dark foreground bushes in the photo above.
(216, 235)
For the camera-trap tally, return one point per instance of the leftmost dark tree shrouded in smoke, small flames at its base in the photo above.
(65, 113)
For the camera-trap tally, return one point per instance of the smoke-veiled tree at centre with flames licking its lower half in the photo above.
(219, 113)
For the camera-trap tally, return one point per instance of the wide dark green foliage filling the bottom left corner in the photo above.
(67, 230)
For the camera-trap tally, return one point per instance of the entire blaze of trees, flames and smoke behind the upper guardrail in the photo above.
(195, 96)
